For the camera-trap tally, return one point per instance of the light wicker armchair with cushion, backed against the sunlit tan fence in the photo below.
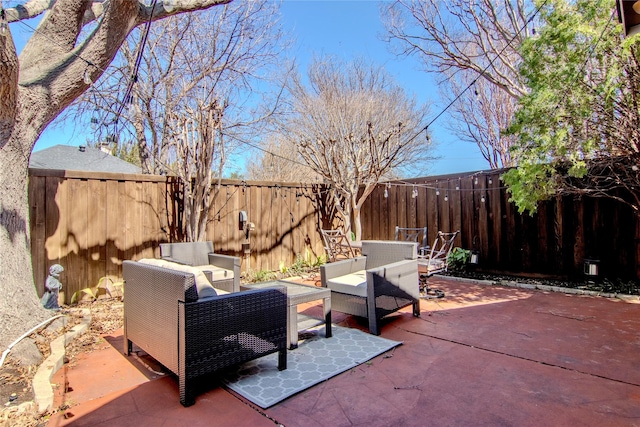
(223, 271)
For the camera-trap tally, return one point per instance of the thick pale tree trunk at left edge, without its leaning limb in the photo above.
(19, 305)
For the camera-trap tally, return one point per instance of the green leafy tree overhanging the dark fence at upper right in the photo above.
(578, 127)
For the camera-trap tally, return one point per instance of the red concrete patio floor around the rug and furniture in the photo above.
(483, 355)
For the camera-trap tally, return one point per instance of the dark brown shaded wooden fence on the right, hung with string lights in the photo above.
(554, 241)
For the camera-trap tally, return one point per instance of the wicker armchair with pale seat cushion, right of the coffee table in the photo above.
(382, 281)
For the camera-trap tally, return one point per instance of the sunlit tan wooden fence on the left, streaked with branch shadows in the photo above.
(90, 222)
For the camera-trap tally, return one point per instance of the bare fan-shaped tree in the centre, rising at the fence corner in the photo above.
(353, 125)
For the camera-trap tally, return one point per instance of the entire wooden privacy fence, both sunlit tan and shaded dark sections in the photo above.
(89, 223)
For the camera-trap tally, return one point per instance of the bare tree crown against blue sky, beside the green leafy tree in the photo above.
(469, 42)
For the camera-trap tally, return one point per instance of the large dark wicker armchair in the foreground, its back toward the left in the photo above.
(194, 337)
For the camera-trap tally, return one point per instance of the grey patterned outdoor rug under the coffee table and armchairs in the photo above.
(315, 360)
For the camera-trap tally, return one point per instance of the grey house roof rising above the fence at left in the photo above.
(82, 158)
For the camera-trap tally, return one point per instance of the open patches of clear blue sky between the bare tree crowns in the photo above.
(345, 29)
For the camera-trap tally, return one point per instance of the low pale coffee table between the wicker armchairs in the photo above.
(298, 294)
